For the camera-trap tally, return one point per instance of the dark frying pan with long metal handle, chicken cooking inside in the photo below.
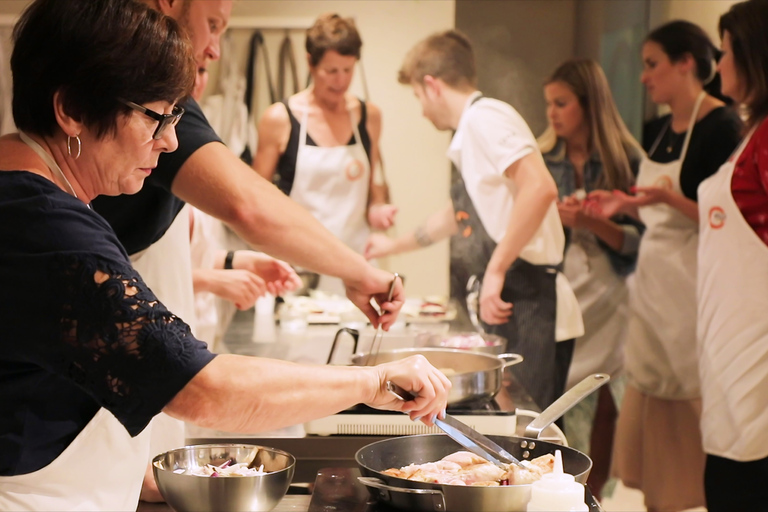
(398, 452)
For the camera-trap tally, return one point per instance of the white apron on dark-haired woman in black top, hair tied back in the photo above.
(660, 356)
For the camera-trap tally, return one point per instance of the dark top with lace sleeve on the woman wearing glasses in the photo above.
(79, 329)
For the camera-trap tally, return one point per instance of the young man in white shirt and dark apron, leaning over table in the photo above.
(502, 212)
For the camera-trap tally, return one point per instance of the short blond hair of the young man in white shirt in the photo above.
(445, 55)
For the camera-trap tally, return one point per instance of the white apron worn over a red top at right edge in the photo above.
(733, 324)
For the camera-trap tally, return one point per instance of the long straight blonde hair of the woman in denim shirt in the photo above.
(607, 132)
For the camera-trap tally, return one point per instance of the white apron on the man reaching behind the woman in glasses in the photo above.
(166, 267)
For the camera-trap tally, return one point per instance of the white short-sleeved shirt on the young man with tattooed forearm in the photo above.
(490, 137)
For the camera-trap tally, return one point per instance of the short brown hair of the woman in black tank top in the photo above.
(332, 32)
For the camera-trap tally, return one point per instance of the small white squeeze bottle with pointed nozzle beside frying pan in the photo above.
(557, 492)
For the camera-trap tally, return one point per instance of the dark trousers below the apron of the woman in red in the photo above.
(733, 486)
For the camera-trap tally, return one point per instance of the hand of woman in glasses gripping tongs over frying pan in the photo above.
(417, 376)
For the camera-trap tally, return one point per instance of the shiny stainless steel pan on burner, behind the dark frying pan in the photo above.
(474, 376)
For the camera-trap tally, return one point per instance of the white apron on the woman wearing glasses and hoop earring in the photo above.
(102, 469)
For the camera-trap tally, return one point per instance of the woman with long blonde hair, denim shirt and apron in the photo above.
(587, 147)
